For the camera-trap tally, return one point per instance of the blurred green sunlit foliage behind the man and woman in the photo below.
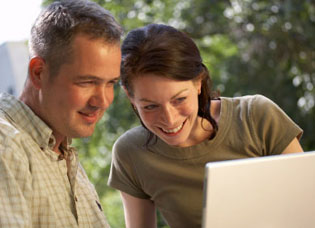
(250, 47)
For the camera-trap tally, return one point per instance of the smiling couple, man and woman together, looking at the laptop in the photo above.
(75, 61)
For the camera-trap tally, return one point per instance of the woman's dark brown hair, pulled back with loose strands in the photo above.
(164, 51)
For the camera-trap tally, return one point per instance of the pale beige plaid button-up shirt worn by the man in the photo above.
(37, 187)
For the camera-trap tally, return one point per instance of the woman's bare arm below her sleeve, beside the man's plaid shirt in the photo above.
(139, 213)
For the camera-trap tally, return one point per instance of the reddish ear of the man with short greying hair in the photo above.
(37, 67)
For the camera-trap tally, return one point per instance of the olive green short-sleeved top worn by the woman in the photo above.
(172, 177)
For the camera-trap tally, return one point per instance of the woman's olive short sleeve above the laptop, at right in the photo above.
(272, 126)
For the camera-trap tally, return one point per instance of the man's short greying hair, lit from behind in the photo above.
(58, 24)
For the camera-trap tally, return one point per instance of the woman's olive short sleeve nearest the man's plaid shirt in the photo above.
(123, 174)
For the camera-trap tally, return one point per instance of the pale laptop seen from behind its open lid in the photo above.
(267, 192)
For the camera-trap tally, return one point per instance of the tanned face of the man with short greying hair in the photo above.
(72, 101)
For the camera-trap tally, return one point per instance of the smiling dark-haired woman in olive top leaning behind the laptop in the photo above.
(161, 164)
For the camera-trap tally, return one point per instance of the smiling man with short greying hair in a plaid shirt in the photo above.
(74, 64)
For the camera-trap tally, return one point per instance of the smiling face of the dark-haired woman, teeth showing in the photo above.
(168, 108)
